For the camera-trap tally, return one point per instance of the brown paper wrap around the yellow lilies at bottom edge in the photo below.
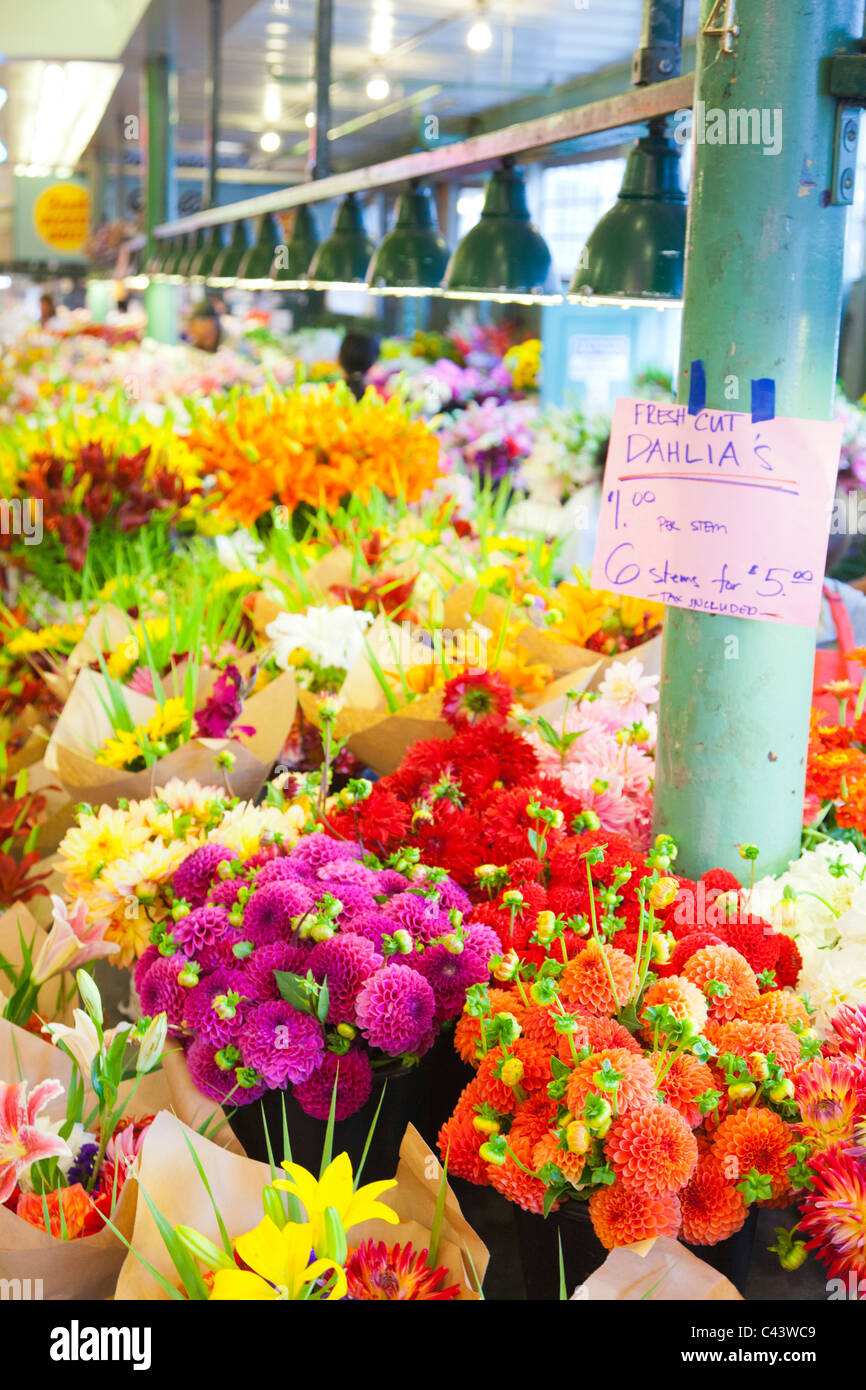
(169, 1175)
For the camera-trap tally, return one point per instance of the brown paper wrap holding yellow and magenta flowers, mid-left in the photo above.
(84, 726)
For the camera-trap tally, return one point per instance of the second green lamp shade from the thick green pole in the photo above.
(504, 256)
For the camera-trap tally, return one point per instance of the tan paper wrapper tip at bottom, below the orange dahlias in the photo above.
(667, 1273)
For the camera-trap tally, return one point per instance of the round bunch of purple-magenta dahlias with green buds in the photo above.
(308, 967)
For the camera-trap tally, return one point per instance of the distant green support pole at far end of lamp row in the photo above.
(161, 190)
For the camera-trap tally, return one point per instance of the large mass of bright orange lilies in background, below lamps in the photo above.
(315, 447)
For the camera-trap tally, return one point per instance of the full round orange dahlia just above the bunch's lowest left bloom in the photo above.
(653, 1150)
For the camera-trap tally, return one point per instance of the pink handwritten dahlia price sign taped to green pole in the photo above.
(717, 514)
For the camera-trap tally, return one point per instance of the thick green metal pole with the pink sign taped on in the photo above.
(764, 287)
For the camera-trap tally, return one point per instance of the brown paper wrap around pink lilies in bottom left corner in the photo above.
(87, 1268)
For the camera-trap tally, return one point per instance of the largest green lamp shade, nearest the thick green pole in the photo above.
(637, 251)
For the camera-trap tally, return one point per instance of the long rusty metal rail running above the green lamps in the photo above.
(476, 154)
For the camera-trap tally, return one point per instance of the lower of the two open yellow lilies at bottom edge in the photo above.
(280, 1267)
